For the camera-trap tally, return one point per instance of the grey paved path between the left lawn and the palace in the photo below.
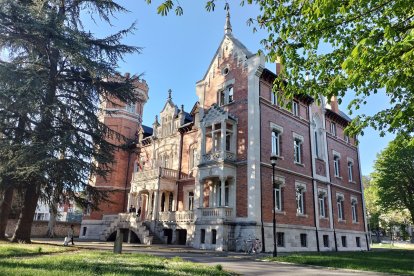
(236, 262)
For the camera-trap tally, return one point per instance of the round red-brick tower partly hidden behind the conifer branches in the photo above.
(124, 120)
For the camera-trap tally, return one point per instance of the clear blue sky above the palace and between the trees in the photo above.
(177, 50)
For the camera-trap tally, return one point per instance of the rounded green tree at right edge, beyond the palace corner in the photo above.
(394, 175)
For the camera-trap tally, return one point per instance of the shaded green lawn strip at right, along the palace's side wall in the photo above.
(394, 261)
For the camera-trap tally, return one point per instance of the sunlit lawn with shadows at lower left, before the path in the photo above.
(51, 261)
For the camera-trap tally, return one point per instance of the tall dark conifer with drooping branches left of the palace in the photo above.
(60, 73)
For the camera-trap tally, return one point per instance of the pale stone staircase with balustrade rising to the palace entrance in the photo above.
(130, 222)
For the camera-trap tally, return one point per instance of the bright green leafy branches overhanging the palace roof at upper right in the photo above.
(366, 46)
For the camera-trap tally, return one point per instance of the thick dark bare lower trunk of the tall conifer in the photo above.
(24, 224)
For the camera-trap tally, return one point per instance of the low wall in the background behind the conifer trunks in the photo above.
(39, 228)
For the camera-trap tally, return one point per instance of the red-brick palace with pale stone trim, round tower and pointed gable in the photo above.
(204, 177)
